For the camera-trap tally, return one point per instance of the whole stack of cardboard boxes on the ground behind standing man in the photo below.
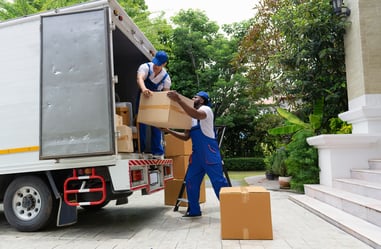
(179, 151)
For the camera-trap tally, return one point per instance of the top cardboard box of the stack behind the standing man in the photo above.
(176, 147)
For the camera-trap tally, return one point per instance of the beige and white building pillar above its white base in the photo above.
(363, 53)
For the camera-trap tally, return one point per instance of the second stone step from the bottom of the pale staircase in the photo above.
(368, 209)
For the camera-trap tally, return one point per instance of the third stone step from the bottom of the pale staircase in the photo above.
(360, 187)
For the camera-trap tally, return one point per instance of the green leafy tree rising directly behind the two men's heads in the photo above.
(192, 39)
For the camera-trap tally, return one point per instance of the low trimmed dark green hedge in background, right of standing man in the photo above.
(244, 164)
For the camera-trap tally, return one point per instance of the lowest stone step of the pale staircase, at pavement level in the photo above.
(364, 231)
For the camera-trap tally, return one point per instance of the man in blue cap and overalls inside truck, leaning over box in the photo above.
(152, 77)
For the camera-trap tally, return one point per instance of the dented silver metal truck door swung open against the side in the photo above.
(76, 115)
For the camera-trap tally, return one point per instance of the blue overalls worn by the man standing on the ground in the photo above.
(205, 158)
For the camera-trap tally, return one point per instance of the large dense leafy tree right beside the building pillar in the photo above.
(311, 58)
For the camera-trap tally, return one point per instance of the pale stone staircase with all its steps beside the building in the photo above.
(354, 204)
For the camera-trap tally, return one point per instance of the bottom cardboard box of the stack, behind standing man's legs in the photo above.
(172, 190)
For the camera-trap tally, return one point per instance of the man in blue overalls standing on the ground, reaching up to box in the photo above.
(206, 157)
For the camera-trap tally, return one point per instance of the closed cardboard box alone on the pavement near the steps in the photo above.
(245, 213)
